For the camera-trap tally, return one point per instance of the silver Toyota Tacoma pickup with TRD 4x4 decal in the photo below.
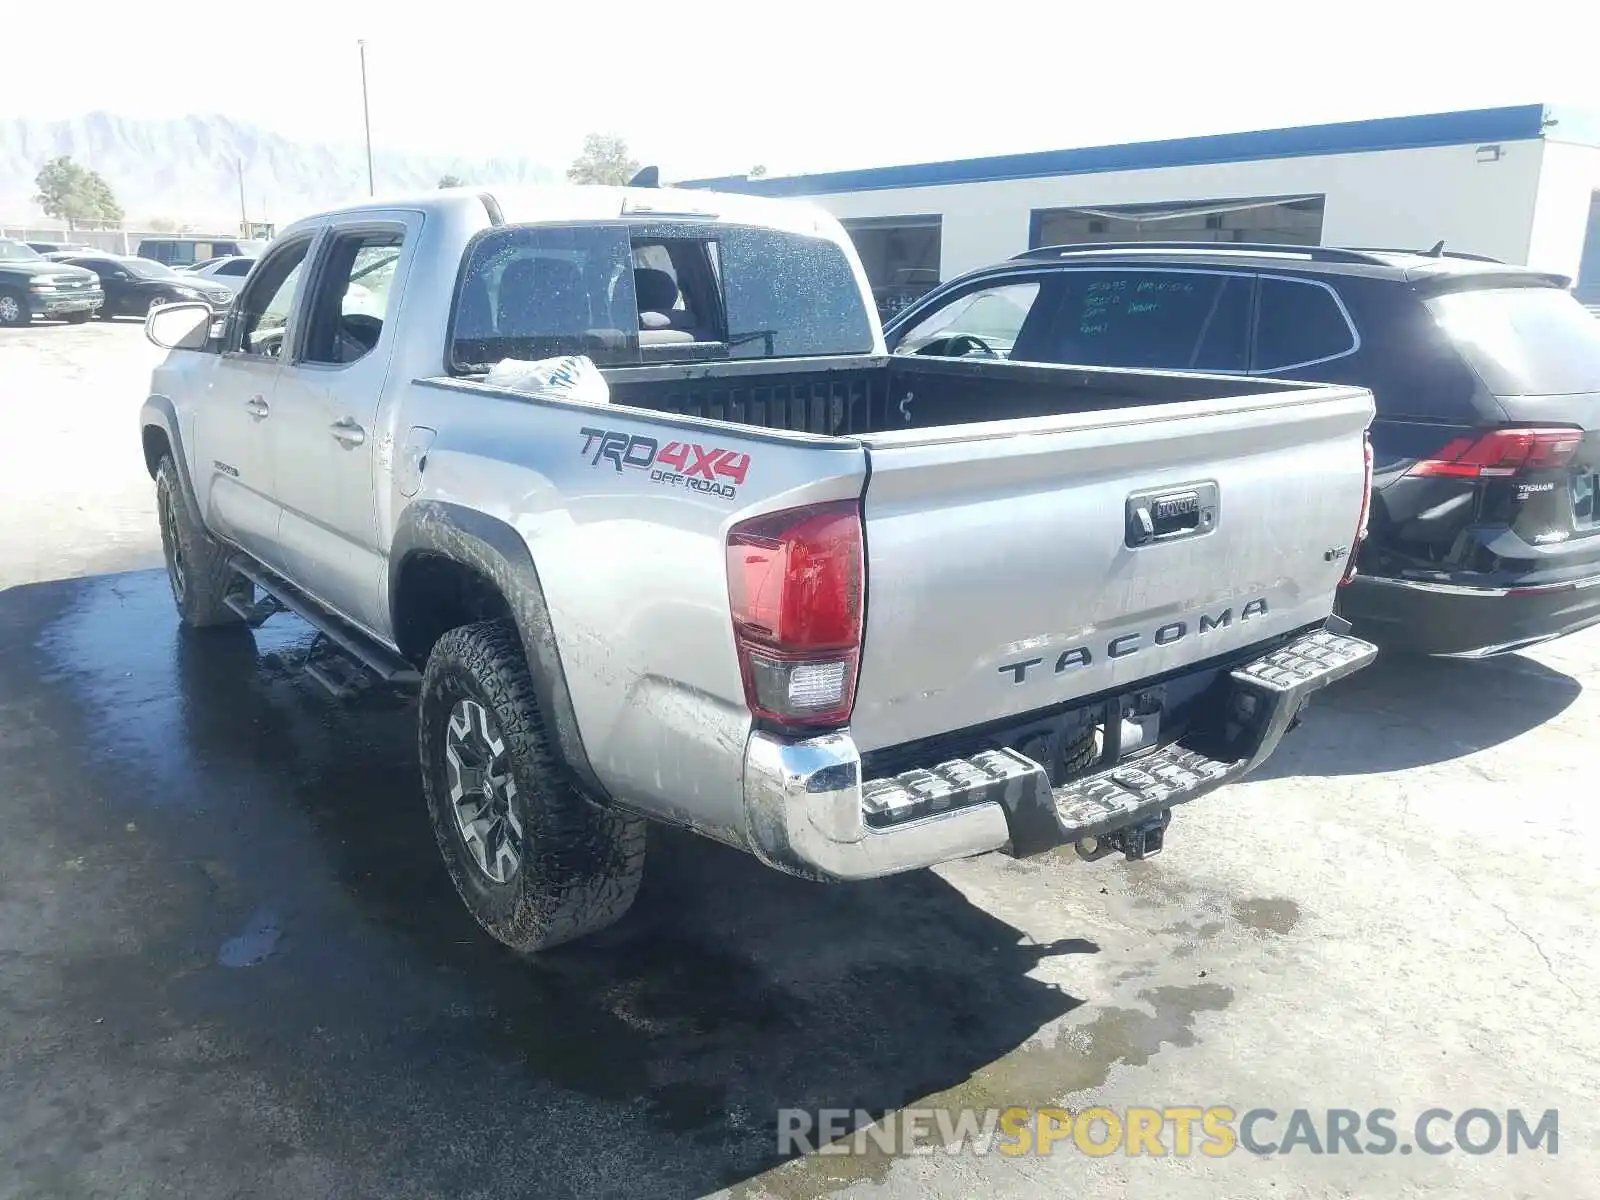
(850, 614)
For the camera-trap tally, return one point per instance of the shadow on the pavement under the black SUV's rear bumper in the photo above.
(1417, 711)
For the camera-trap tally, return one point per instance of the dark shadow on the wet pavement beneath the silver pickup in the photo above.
(404, 1044)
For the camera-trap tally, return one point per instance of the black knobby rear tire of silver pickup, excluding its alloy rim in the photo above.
(580, 863)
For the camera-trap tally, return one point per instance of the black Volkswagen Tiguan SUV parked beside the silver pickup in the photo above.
(1484, 535)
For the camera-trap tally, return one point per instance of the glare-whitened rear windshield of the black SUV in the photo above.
(1524, 342)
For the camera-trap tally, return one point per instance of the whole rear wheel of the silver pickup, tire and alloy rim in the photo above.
(535, 862)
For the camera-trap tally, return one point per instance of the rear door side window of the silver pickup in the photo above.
(353, 297)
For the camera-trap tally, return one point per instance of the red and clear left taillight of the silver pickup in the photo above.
(796, 590)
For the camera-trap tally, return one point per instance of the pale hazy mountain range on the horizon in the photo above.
(188, 170)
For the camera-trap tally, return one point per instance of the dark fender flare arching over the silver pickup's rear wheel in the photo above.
(497, 551)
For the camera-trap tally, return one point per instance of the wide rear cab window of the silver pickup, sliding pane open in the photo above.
(532, 292)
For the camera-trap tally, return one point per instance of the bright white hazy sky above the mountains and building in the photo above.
(708, 87)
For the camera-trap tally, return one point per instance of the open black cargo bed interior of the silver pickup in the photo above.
(855, 396)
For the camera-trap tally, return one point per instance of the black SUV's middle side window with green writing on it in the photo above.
(1169, 321)
